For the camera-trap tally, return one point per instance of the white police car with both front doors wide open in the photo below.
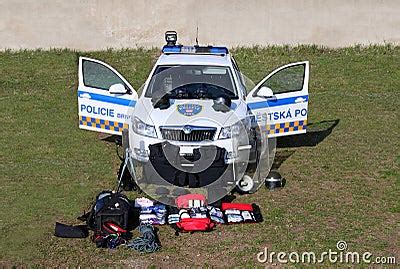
(194, 97)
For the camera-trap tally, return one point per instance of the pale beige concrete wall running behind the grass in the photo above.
(98, 24)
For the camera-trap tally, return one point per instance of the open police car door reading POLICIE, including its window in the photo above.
(104, 97)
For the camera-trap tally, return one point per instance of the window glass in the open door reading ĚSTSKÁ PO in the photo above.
(289, 79)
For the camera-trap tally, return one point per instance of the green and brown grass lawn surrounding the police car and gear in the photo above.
(346, 187)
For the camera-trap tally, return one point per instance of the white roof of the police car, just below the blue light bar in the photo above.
(194, 59)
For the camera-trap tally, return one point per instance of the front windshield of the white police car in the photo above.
(192, 82)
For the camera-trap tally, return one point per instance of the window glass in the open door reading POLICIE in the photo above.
(96, 75)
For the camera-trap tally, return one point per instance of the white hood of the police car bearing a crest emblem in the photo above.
(192, 112)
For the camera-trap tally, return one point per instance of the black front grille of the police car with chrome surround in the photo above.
(196, 134)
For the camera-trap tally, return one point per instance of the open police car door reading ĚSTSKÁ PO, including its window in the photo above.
(279, 102)
